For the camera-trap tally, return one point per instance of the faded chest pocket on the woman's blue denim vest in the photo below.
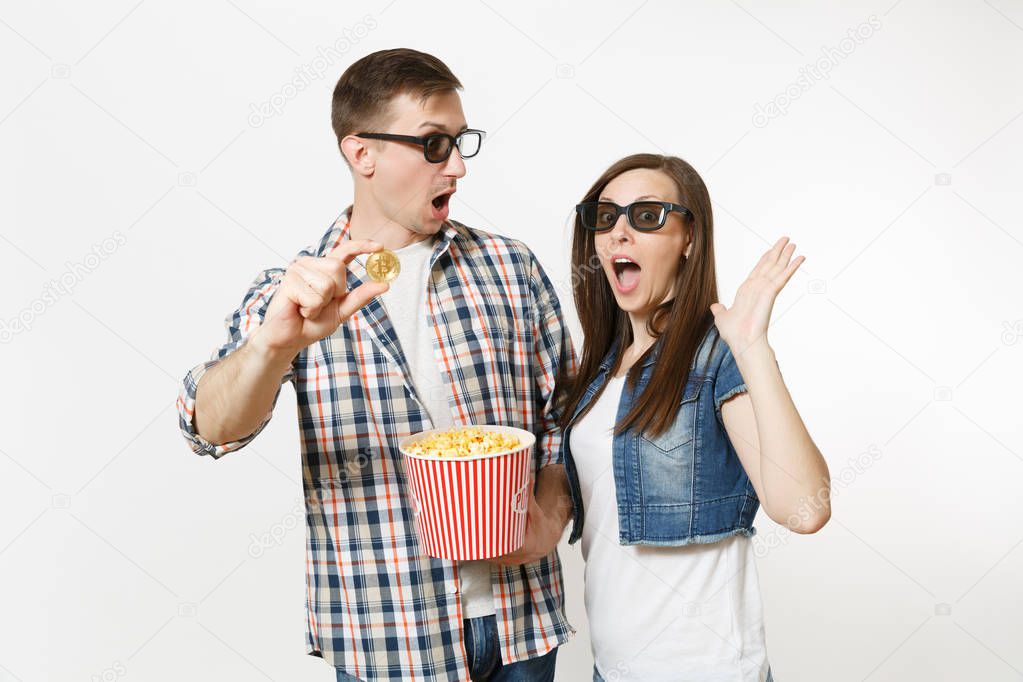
(666, 462)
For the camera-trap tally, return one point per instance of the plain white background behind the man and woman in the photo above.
(124, 556)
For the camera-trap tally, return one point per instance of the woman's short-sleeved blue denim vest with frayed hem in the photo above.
(686, 486)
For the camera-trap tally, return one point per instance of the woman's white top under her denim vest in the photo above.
(690, 613)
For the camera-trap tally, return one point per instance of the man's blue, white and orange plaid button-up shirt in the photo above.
(377, 606)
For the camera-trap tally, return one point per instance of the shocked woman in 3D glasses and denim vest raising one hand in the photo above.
(675, 438)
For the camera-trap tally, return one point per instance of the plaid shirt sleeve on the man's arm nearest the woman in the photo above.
(554, 354)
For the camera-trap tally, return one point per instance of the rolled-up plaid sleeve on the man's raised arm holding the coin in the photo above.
(240, 324)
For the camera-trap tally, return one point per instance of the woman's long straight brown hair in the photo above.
(678, 326)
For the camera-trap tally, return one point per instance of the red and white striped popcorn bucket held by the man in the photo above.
(472, 508)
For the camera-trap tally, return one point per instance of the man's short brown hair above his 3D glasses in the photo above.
(367, 88)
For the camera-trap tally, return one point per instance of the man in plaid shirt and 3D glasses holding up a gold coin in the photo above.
(471, 333)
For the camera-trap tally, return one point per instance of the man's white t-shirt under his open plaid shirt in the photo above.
(406, 303)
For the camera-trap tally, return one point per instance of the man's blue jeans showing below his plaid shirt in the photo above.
(484, 655)
